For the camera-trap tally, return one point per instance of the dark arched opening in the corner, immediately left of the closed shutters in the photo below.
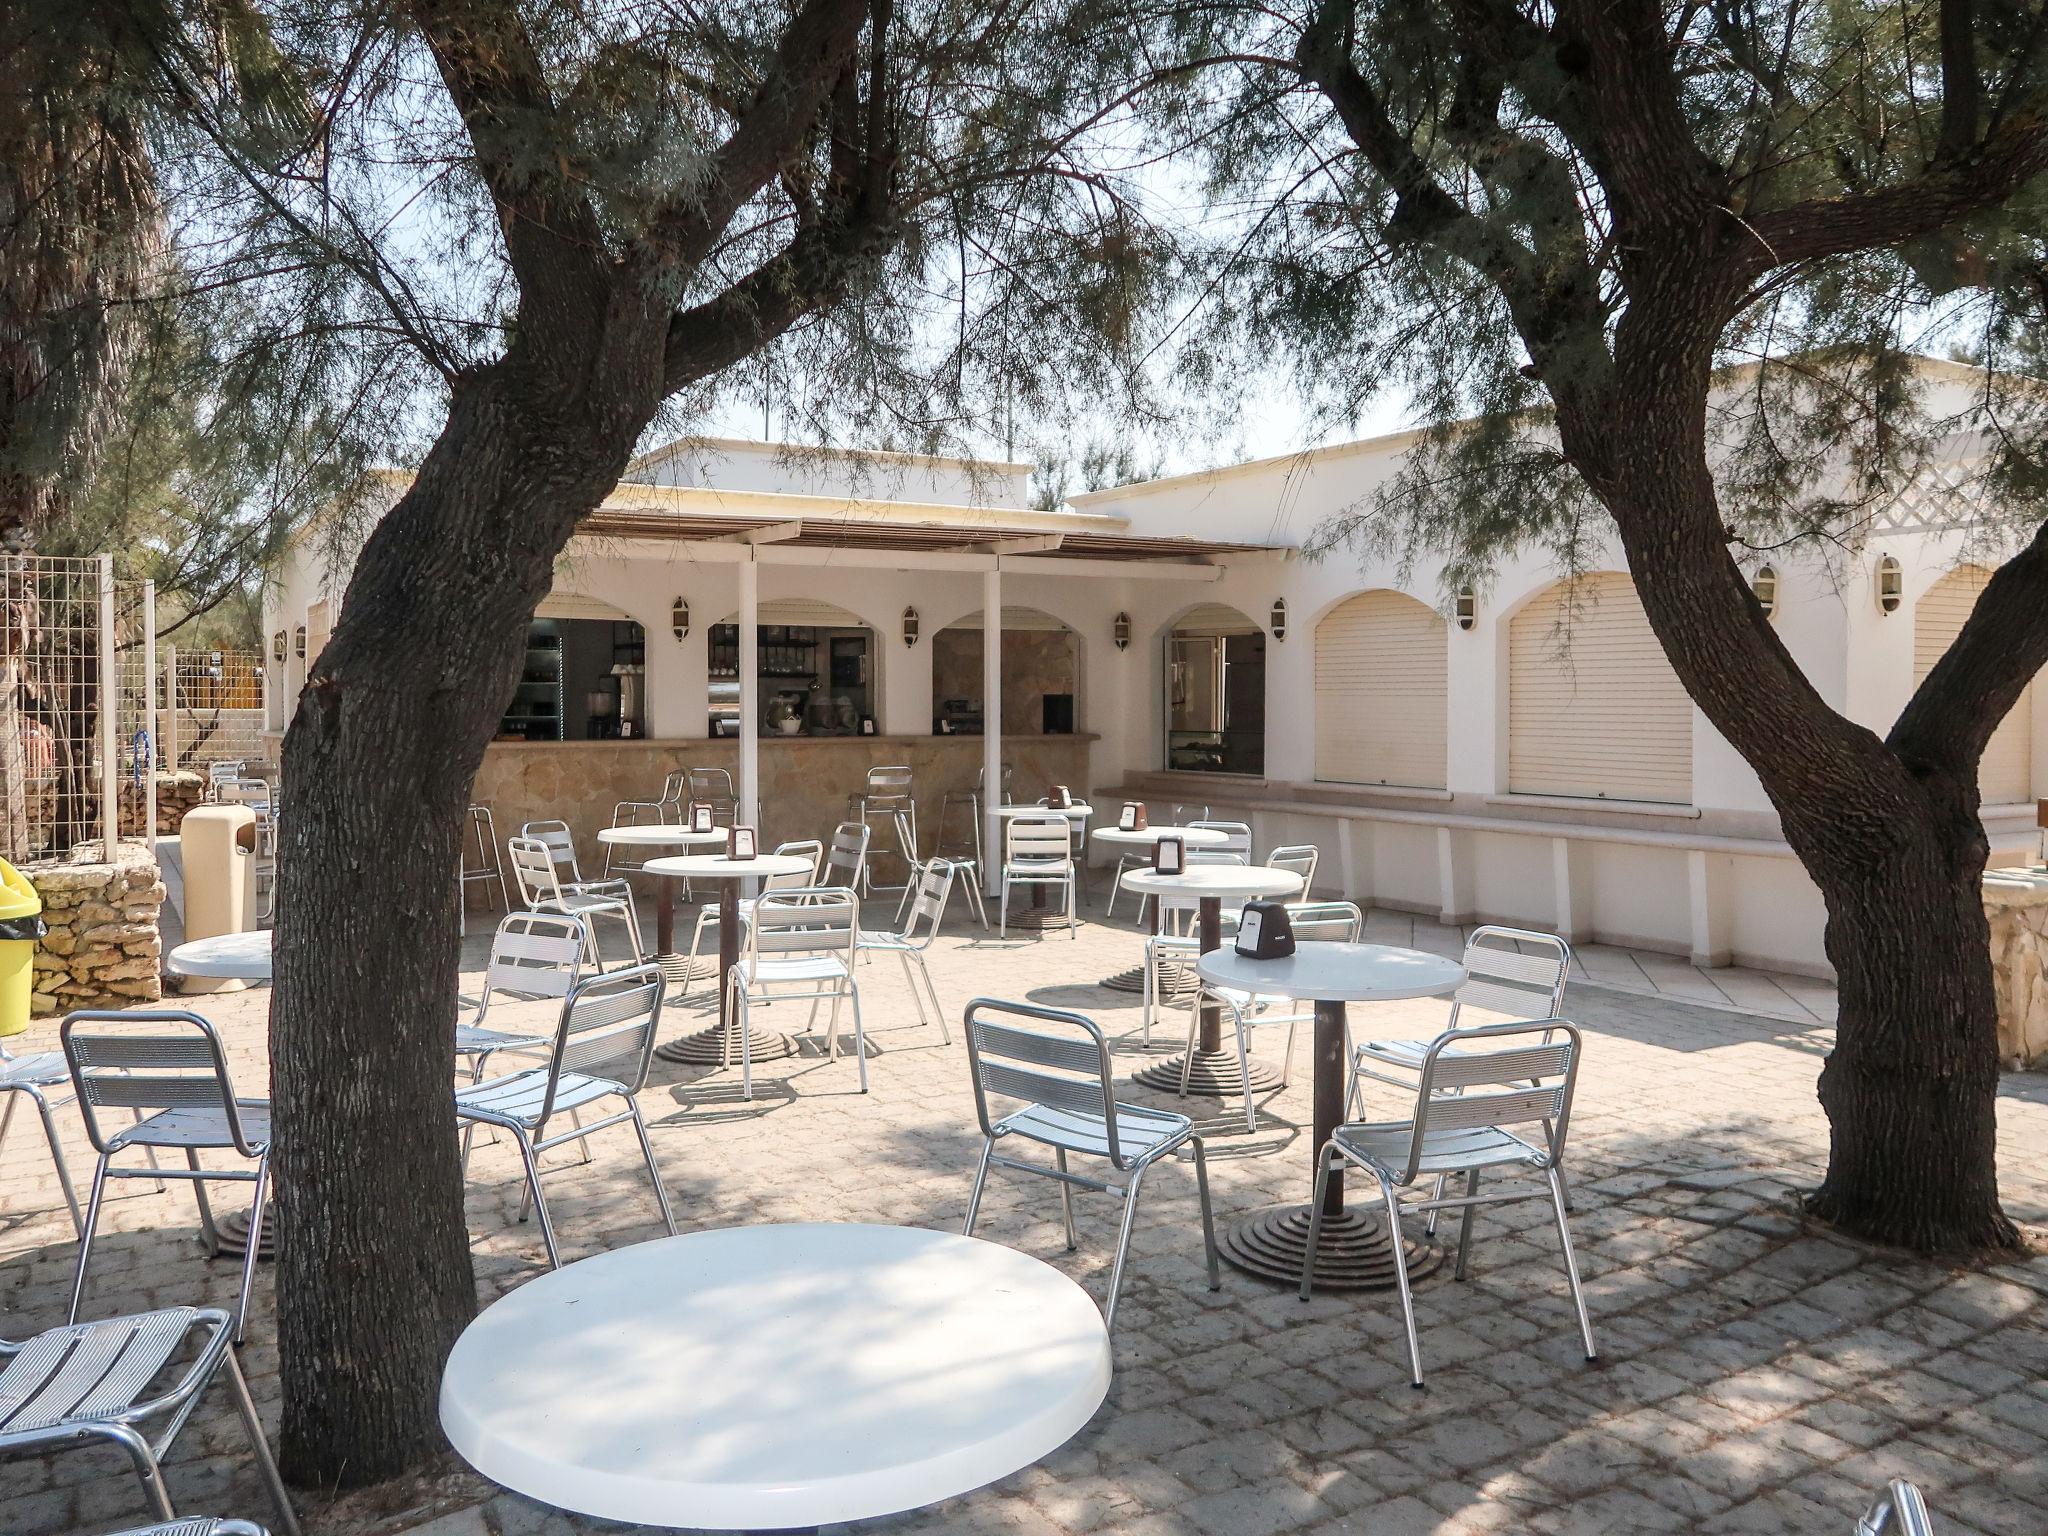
(1215, 693)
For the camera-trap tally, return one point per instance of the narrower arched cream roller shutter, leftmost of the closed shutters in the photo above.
(1379, 693)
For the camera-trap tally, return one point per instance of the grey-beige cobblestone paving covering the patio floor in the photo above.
(1756, 1375)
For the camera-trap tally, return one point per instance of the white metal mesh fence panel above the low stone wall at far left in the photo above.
(73, 701)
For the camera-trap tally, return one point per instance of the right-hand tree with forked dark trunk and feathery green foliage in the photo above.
(1564, 220)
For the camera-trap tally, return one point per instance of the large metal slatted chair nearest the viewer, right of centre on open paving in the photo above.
(1465, 1105)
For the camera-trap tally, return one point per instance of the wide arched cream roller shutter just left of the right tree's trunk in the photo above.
(1592, 706)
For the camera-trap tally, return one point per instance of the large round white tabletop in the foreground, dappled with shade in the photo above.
(771, 1377)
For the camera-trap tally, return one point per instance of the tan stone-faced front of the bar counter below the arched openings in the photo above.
(804, 783)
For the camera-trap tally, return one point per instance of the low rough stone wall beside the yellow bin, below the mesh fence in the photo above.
(103, 947)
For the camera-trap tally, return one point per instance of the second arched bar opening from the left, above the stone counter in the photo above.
(818, 671)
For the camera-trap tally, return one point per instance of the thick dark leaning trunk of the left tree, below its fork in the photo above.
(378, 771)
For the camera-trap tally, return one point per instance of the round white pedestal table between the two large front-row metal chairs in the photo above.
(1357, 1250)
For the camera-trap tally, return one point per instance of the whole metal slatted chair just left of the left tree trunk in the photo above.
(171, 1068)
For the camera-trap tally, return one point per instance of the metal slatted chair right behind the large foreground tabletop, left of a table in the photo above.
(1068, 1105)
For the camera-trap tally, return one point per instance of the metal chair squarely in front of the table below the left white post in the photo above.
(802, 947)
